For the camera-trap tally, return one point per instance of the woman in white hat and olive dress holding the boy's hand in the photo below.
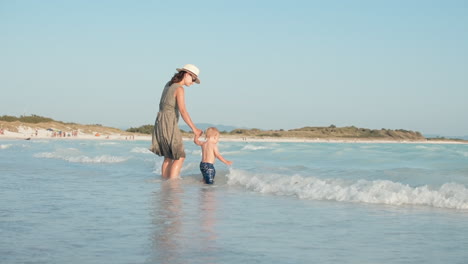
(167, 139)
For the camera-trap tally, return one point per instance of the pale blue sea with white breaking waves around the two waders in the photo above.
(72, 201)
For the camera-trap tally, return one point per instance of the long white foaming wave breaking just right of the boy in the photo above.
(449, 195)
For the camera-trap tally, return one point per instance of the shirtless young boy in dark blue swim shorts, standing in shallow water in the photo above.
(209, 153)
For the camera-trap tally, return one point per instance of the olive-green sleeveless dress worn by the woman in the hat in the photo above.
(167, 139)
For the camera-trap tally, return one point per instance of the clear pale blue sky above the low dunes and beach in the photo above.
(264, 64)
